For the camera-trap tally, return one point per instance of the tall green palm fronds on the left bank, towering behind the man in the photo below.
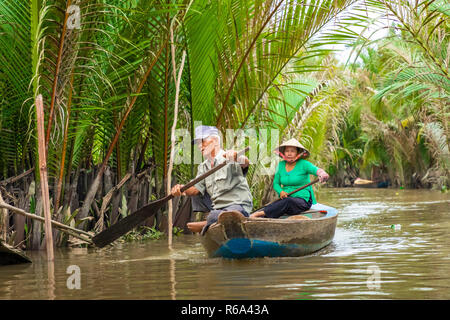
(103, 70)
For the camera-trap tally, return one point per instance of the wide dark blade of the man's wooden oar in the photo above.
(128, 223)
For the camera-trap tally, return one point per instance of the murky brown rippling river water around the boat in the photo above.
(413, 262)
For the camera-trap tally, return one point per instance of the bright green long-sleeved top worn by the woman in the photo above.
(294, 179)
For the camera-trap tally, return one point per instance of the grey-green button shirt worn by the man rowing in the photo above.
(226, 186)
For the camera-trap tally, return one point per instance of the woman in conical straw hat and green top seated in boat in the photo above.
(292, 173)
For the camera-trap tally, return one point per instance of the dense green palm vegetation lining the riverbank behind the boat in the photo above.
(106, 72)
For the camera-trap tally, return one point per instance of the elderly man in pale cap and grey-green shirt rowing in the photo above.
(227, 187)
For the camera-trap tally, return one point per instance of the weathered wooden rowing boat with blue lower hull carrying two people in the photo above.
(235, 236)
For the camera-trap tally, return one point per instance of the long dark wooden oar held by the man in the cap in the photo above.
(129, 222)
